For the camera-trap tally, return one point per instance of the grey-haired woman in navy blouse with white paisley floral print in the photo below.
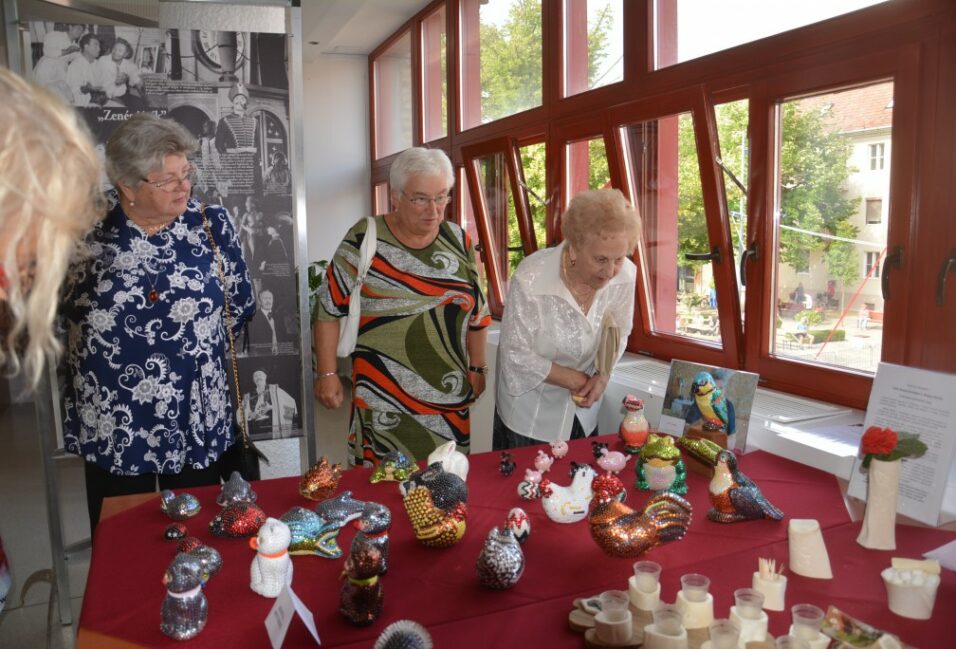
(148, 379)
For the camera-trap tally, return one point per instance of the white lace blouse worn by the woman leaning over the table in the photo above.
(543, 324)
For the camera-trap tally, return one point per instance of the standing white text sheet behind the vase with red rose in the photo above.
(912, 400)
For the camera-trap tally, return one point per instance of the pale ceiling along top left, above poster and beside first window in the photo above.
(329, 27)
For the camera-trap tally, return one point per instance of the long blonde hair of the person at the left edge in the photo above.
(49, 199)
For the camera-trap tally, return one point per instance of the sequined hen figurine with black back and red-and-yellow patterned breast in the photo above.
(435, 503)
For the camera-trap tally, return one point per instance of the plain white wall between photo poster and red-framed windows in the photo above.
(337, 173)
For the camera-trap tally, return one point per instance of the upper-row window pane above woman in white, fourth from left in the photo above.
(593, 44)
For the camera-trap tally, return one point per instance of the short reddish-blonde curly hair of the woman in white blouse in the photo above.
(600, 213)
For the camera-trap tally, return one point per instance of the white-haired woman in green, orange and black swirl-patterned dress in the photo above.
(420, 357)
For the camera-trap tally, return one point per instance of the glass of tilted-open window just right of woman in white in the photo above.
(665, 178)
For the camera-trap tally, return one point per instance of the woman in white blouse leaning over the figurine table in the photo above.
(547, 385)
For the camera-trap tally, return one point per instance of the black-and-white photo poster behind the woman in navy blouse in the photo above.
(231, 90)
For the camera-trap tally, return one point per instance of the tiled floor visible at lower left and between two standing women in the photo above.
(25, 531)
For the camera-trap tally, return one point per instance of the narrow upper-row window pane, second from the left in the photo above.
(434, 76)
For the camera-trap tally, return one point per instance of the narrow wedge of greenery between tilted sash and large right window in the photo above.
(732, 122)
